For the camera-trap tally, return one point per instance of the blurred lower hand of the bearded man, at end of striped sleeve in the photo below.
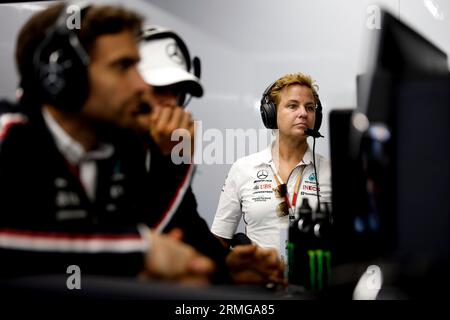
(170, 259)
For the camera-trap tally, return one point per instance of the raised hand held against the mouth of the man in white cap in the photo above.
(162, 122)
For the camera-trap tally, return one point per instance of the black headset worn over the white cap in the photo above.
(194, 65)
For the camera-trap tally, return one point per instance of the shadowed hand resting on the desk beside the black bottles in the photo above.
(249, 264)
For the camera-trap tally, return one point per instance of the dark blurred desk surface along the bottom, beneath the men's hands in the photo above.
(100, 287)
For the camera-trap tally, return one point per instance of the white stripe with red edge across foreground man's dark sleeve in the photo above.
(28, 242)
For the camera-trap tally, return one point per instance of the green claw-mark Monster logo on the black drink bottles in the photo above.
(316, 273)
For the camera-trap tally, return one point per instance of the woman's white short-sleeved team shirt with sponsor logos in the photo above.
(248, 194)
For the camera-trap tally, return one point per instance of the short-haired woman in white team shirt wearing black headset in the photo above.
(266, 189)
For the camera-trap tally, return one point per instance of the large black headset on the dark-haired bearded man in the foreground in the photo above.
(60, 65)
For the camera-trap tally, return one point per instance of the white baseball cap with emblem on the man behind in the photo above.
(163, 63)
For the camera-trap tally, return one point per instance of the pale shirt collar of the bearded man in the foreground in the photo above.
(71, 149)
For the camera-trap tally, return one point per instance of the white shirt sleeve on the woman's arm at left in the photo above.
(229, 213)
